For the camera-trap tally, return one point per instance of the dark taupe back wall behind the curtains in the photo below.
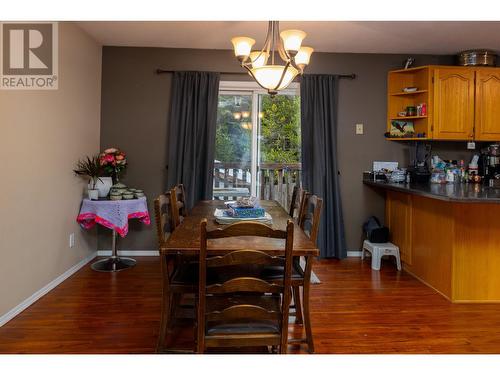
(135, 112)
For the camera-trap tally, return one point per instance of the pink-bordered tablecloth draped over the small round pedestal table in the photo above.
(113, 214)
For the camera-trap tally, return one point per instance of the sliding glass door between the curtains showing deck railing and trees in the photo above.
(257, 148)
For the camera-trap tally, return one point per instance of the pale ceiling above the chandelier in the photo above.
(336, 36)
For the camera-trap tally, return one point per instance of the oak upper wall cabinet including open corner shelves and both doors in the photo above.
(463, 103)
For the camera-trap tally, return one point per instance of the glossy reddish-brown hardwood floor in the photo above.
(354, 310)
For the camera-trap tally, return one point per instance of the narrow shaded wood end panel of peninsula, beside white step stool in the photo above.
(398, 220)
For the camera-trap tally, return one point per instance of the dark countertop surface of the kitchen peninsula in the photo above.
(463, 193)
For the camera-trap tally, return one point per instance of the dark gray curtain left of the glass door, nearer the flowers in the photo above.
(191, 142)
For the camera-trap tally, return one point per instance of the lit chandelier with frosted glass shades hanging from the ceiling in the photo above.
(285, 46)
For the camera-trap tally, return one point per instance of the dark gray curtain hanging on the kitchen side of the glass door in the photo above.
(320, 174)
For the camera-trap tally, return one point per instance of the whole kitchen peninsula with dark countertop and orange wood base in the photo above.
(448, 236)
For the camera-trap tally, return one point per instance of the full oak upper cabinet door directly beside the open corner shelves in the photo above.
(453, 103)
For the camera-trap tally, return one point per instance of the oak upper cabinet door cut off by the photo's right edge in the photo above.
(487, 105)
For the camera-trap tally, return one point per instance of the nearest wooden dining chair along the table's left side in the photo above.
(179, 277)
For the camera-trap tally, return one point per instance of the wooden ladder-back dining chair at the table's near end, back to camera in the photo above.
(242, 309)
